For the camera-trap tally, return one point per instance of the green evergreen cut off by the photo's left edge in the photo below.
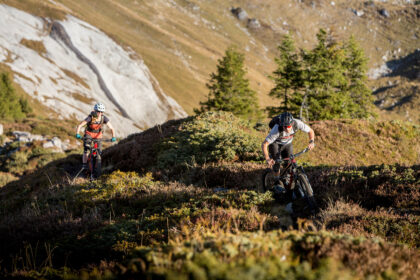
(10, 105)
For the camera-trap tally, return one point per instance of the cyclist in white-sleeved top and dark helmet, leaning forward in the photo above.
(279, 141)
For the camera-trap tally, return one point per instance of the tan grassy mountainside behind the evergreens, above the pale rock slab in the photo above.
(180, 41)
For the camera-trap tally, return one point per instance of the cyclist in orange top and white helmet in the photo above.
(93, 130)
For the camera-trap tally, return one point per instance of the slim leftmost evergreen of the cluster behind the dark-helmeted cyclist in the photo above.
(287, 76)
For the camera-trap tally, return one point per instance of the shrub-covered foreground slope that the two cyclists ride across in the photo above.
(163, 214)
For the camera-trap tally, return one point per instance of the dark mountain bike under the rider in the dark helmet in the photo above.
(294, 184)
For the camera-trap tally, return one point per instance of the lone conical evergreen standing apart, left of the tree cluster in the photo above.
(229, 89)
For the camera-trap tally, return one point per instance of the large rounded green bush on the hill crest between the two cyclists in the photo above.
(211, 137)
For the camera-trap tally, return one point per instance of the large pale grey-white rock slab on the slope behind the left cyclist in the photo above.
(78, 65)
